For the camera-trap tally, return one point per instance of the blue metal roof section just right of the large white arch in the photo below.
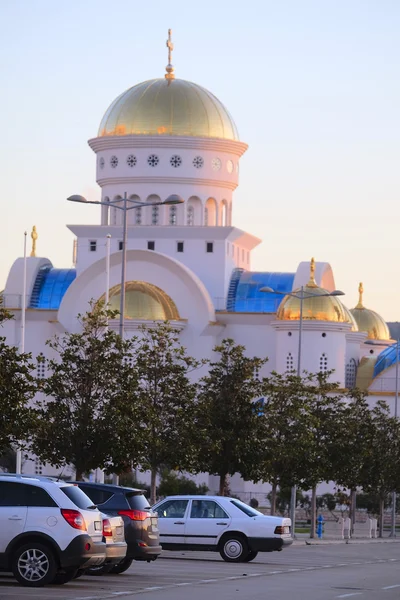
(244, 291)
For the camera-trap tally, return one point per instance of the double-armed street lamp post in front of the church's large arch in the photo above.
(128, 204)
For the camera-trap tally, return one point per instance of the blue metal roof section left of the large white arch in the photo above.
(50, 287)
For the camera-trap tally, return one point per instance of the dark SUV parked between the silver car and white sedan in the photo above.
(141, 522)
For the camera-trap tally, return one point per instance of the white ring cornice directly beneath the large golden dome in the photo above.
(153, 141)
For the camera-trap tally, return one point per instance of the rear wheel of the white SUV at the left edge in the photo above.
(34, 565)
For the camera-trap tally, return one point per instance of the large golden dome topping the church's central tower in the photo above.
(168, 107)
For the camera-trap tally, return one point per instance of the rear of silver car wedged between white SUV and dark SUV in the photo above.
(116, 547)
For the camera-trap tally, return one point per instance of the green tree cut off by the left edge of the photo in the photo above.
(17, 389)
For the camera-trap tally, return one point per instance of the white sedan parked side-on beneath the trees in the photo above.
(225, 525)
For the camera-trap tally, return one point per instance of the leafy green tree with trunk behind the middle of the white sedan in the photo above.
(229, 416)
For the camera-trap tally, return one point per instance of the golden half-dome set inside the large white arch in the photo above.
(143, 301)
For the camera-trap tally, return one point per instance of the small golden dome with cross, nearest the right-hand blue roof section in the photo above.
(317, 306)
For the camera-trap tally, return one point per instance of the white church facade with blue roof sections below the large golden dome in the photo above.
(195, 255)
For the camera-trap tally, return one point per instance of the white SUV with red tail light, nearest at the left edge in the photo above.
(48, 530)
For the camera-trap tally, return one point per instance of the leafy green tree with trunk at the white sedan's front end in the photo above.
(166, 396)
